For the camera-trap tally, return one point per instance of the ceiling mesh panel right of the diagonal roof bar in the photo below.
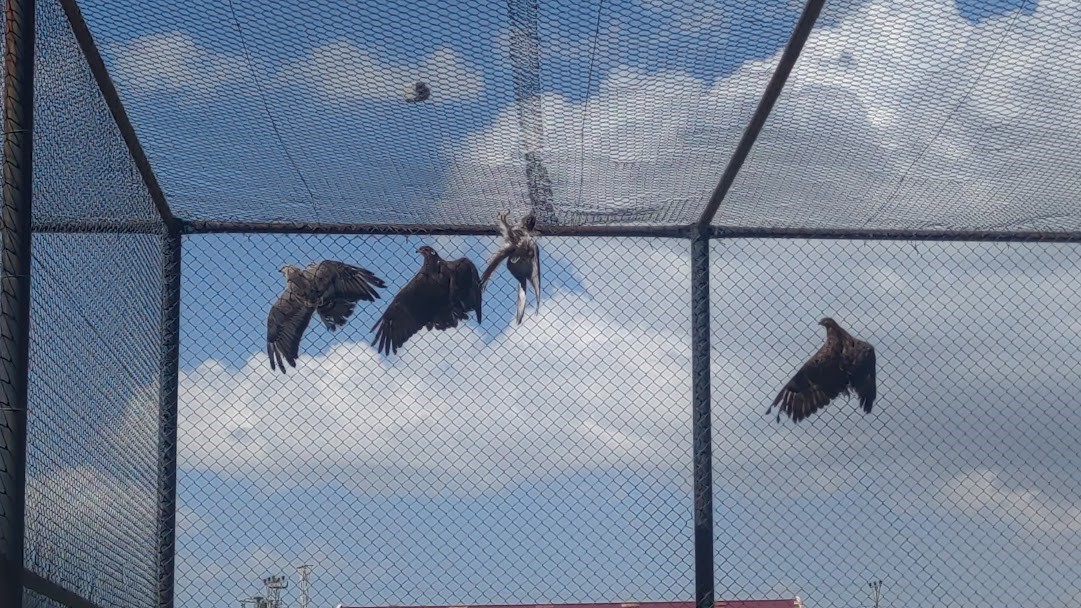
(935, 115)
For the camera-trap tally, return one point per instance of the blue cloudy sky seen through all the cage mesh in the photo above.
(551, 461)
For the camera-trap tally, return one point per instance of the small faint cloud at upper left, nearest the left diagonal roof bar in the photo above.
(174, 62)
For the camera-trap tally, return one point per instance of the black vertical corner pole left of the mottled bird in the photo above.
(167, 417)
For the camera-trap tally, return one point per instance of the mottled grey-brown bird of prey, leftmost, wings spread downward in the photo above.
(329, 288)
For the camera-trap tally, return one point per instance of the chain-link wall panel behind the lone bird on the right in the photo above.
(964, 485)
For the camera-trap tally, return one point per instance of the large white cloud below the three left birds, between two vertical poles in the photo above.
(470, 422)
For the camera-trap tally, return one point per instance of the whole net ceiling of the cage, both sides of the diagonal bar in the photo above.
(923, 115)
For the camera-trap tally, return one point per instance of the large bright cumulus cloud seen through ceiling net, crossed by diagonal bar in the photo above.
(906, 117)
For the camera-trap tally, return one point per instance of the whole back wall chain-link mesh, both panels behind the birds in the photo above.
(551, 461)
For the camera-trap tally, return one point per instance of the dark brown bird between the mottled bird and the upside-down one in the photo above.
(442, 294)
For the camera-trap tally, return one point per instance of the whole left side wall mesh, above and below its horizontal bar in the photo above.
(91, 497)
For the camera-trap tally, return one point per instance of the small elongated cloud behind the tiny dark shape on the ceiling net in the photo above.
(342, 72)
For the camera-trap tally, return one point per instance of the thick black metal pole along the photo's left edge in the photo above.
(16, 294)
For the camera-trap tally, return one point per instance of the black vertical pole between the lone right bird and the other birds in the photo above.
(702, 432)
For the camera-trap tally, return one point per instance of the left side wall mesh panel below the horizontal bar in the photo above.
(91, 507)
